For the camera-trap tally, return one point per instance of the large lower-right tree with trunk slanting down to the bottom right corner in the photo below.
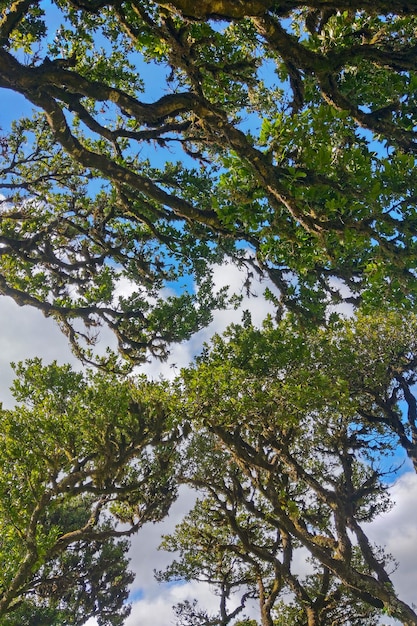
(281, 440)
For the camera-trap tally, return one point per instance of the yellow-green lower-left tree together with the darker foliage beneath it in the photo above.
(86, 461)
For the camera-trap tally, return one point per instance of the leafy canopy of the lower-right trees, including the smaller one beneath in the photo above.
(294, 434)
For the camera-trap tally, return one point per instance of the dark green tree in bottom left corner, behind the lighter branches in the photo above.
(89, 579)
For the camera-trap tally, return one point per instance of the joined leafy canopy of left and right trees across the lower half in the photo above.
(287, 435)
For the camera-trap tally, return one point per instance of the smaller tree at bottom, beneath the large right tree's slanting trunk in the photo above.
(242, 559)
